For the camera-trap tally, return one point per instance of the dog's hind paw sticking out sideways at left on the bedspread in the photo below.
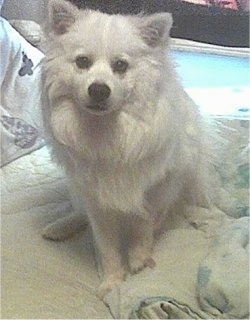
(64, 228)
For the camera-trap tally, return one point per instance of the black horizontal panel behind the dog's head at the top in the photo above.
(194, 22)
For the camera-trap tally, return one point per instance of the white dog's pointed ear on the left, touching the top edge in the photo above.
(62, 15)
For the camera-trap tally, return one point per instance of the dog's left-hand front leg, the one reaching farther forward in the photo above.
(106, 230)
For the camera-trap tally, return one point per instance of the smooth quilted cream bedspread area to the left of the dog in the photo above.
(43, 279)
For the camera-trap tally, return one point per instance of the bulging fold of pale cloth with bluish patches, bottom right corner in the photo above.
(223, 284)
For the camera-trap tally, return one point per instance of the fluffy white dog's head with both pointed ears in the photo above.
(105, 61)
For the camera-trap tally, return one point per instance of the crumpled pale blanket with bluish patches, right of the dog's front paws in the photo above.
(201, 272)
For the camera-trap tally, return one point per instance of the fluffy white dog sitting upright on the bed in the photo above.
(129, 138)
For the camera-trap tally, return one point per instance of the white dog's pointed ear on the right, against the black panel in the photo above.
(154, 29)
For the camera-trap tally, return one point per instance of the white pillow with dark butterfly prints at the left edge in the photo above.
(20, 78)
